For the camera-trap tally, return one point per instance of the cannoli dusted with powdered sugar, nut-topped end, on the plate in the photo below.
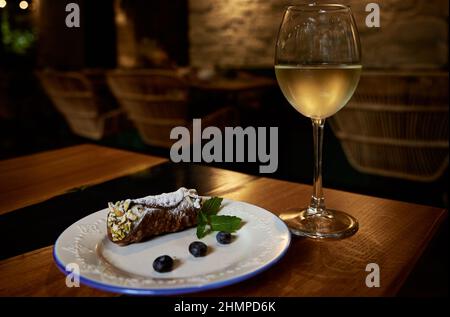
(134, 220)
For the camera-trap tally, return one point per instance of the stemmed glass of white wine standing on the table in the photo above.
(318, 65)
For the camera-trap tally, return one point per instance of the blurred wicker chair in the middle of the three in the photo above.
(157, 101)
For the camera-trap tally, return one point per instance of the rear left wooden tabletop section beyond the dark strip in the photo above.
(28, 180)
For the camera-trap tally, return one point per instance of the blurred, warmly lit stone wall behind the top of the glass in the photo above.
(235, 33)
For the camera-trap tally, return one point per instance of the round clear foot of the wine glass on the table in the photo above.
(328, 224)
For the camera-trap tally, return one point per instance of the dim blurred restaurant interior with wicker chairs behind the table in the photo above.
(134, 69)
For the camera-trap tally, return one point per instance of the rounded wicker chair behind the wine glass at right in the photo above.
(396, 125)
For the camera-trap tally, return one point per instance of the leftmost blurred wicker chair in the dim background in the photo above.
(84, 99)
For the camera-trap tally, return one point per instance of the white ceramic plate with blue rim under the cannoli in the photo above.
(260, 243)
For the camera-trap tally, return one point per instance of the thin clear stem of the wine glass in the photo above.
(317, 205)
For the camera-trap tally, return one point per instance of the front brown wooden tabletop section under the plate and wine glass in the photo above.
(392, 234)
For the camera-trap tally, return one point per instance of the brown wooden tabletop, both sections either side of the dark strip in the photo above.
(392, 234)
